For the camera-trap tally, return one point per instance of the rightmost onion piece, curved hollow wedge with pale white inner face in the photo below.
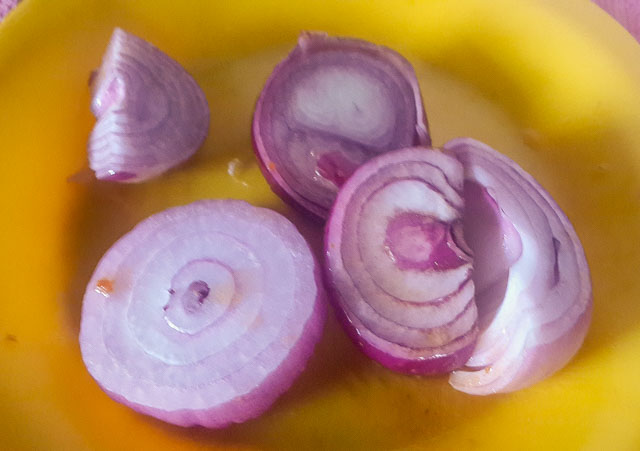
(533, 287)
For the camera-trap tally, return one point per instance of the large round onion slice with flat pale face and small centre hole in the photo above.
(203, 314)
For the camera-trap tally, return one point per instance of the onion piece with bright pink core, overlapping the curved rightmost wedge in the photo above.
(397, 265)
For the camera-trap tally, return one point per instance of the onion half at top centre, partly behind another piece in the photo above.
(332, 104)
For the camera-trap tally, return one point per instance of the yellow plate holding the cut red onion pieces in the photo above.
(553, 84)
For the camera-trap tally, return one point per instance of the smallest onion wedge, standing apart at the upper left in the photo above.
(151, 113)
